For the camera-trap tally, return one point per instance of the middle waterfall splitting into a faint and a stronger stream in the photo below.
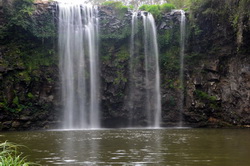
(151, 97)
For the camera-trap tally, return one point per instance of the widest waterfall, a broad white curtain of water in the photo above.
(78, 49)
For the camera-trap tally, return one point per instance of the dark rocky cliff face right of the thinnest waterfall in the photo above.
(217, 66)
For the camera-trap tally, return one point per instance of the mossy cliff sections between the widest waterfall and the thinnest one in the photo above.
(115, 36)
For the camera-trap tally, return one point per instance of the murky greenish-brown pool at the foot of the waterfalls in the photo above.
(166, 147)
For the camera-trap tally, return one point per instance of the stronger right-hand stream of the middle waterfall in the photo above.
(152, 70)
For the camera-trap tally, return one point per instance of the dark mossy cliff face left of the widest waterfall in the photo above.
(28, 68)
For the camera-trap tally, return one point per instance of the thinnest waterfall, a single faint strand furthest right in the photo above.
(182, 54)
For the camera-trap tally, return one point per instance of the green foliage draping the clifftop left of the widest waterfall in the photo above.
(22, 21)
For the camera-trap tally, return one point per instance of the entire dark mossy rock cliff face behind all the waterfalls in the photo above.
(217, 73)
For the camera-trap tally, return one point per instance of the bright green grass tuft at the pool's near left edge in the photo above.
(10, 156)
